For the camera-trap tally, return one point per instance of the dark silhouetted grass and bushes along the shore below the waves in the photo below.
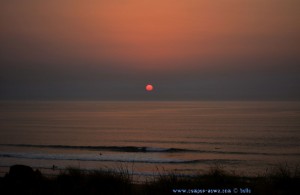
(24, 180)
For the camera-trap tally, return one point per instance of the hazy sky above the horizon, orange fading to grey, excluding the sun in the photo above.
(188, 49)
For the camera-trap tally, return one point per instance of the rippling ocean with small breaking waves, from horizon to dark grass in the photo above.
(151, 137)
